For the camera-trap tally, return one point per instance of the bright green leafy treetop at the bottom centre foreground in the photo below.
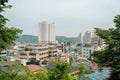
(60, 71)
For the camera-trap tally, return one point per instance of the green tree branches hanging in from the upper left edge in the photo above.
(7, 35)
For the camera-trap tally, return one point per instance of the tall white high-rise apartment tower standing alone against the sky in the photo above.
(46, 32)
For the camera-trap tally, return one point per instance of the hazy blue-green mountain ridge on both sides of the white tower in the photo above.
(34, 39)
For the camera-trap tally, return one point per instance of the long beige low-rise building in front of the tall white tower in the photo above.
(37, 53)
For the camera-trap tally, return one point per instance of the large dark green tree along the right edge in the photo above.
(110, 56)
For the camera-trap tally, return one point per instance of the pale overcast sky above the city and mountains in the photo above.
(70, 16)
